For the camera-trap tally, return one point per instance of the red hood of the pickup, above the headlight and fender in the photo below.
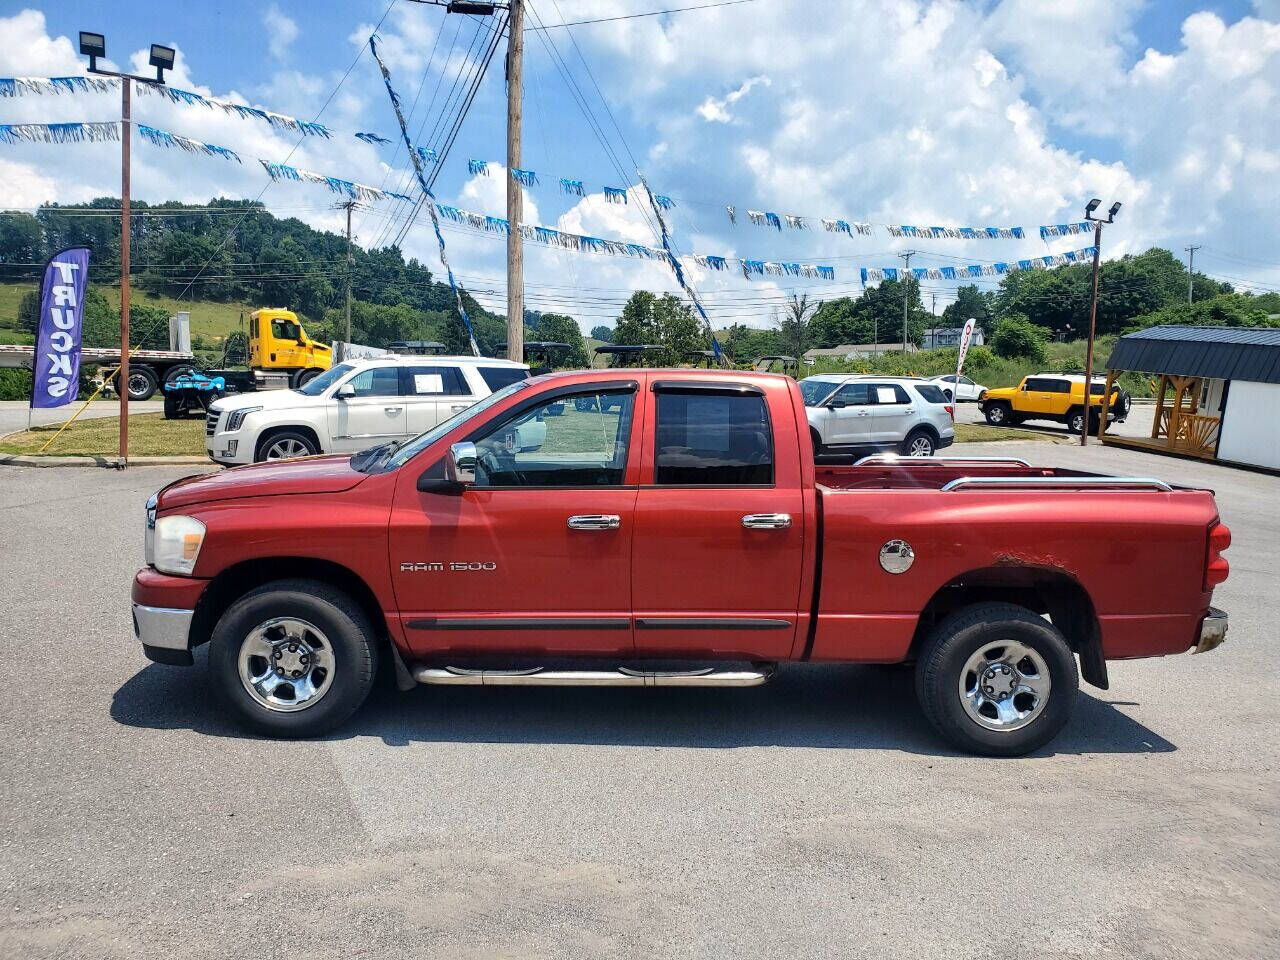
(291, 478)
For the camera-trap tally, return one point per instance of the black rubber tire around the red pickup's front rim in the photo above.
(350, 639)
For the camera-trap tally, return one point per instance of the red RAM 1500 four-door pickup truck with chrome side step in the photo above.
(671, 531)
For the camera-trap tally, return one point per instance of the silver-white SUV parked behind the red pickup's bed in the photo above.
(865, 414)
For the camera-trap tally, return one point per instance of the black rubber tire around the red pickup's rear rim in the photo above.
(959, 638)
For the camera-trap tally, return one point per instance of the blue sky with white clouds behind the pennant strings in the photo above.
(943, 112)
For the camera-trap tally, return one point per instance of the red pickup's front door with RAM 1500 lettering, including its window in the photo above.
(536, 557)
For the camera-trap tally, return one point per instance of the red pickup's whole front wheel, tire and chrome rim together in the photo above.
(294, 659)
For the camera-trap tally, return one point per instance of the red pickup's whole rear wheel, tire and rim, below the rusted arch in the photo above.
(995, 679)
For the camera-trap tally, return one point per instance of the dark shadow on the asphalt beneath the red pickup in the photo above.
(806, 706)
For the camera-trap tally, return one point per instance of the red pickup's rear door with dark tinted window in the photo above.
(720, 529)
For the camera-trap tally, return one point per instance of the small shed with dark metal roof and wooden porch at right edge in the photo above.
(1218, 396)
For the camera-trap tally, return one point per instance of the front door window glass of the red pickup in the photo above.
(559, 444)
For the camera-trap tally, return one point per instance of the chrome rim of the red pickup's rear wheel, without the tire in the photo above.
(1005, 685)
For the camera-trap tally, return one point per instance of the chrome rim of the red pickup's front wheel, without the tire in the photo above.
(286, 665)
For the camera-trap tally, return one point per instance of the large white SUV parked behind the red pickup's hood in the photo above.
(356, 405)
